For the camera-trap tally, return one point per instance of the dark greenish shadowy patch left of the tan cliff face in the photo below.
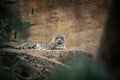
(11, 24)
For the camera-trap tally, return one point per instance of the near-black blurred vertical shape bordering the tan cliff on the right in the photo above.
(110, 45)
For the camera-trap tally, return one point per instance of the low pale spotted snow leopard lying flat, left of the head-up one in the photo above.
(29, 45)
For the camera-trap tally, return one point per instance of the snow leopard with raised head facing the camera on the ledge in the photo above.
(57, 43)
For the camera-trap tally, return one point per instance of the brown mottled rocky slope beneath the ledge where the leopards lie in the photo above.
(35, 65)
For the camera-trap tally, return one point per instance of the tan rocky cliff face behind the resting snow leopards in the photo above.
(80, 20)
